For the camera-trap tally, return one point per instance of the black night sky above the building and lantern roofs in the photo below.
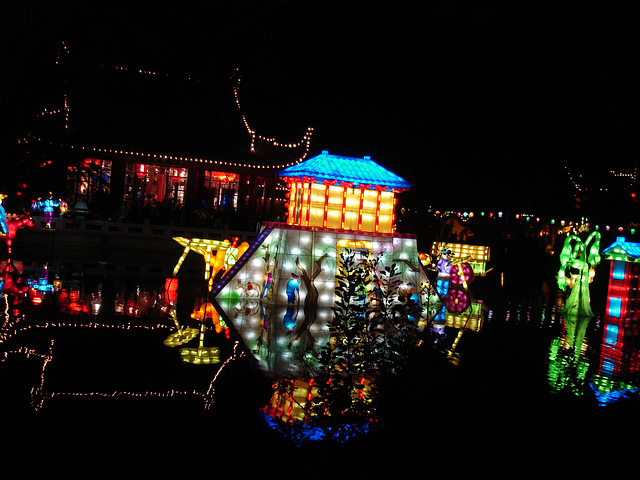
(491, 99)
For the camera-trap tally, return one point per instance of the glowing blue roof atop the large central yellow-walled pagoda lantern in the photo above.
(347, 170)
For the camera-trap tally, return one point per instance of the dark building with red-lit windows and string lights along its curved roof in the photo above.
(122, 138)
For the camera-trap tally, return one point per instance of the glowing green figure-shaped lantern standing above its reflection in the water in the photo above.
(577, 269)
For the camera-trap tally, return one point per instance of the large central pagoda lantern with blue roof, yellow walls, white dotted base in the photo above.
(280, 293)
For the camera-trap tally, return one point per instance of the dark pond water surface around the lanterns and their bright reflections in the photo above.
(105, 398)
